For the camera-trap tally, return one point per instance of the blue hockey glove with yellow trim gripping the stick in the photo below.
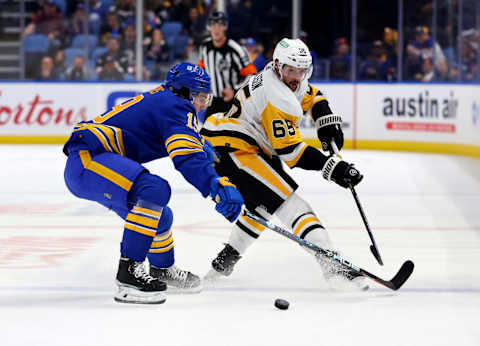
(228, 198)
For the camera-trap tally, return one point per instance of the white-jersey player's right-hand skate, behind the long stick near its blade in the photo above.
(339, 278)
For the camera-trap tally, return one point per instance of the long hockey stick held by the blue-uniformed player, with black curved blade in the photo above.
(394, 284)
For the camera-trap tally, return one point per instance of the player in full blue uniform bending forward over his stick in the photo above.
(104, 165)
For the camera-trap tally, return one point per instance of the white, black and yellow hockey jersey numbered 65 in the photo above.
(265, 116)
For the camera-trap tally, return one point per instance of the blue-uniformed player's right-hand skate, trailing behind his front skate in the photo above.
(177, 279)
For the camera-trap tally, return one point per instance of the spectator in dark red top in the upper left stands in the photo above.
(47, 21)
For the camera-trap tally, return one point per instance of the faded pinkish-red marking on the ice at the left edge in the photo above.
(26, 252)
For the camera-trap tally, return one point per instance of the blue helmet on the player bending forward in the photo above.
(188, 76)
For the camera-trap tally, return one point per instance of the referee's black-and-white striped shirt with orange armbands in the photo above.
(227, 65)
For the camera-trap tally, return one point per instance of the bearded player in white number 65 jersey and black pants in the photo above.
(261, 129)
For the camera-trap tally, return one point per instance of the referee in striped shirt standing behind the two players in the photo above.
(225, 61)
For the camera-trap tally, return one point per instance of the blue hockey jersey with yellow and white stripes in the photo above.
(150, 126)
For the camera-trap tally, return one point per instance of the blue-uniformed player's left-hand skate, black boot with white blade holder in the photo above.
(136, 286)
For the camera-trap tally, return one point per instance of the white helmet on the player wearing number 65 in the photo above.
(294, 53)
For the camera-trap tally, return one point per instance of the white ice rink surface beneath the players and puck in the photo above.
(59, 254)
